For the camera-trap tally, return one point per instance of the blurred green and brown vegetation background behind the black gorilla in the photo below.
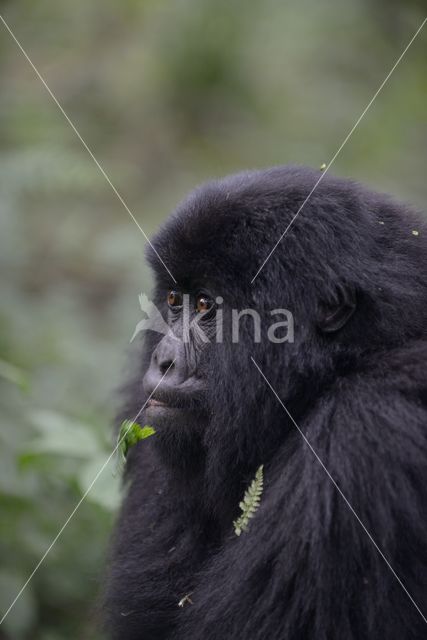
(166, 94)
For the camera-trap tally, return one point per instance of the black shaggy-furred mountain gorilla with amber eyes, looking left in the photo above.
(336, 413)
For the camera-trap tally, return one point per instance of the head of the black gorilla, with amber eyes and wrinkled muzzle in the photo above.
(345, 271)
